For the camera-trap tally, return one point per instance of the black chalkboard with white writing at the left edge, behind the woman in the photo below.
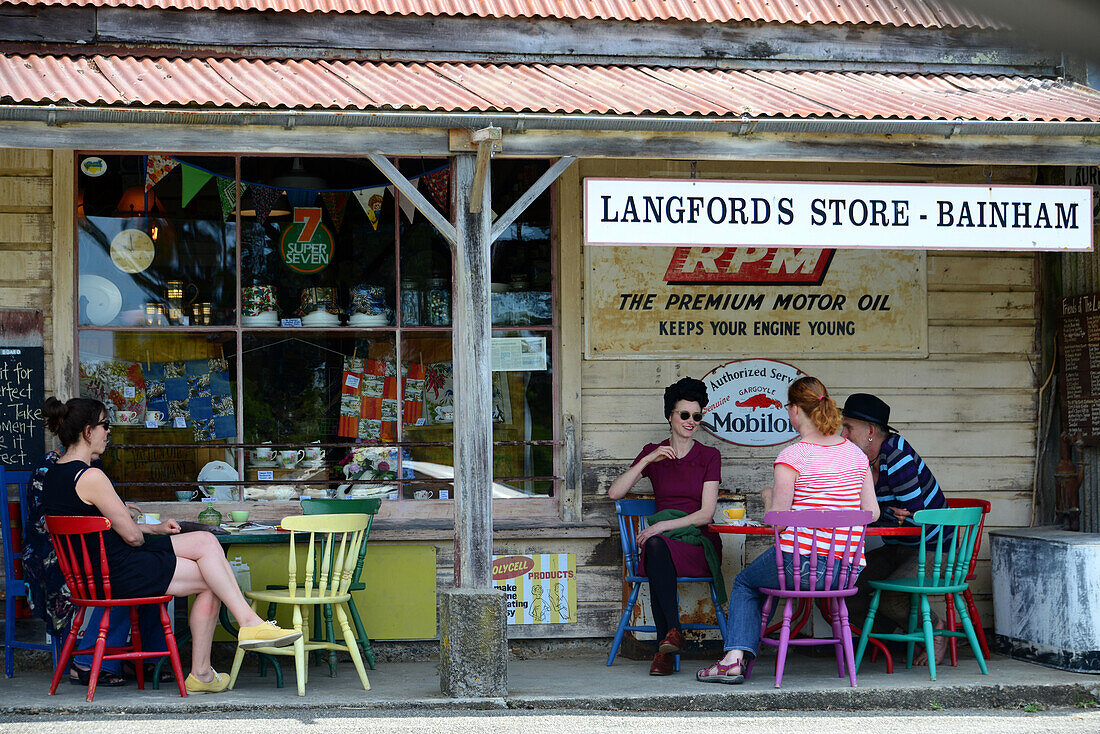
(23, 392)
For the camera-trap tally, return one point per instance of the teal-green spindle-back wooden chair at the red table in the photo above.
(948, 577)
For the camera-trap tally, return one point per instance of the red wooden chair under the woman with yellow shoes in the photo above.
(90, 586)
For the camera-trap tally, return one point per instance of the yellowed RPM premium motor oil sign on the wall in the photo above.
(705, 301)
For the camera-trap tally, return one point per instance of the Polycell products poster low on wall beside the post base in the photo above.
(541, 589)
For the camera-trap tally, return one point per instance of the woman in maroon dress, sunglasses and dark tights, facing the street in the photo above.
(685, 476)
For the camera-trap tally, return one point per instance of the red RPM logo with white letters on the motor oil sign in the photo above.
(749, 267)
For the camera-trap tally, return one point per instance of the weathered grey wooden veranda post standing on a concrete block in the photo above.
(474, 385)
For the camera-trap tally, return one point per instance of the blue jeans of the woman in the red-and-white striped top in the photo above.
(746, 600)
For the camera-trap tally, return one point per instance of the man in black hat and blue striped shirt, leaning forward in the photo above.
(905, 485)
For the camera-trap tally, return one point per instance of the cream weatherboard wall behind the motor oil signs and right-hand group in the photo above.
(970, 408)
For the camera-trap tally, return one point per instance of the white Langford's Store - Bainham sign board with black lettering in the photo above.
(666, 212)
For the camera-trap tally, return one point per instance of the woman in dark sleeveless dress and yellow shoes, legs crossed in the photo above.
(149, 561)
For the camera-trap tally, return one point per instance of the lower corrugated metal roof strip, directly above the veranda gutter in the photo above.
(322, 85)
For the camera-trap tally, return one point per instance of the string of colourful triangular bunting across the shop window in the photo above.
(195, 179)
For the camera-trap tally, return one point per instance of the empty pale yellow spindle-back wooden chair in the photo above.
(333, 551)
